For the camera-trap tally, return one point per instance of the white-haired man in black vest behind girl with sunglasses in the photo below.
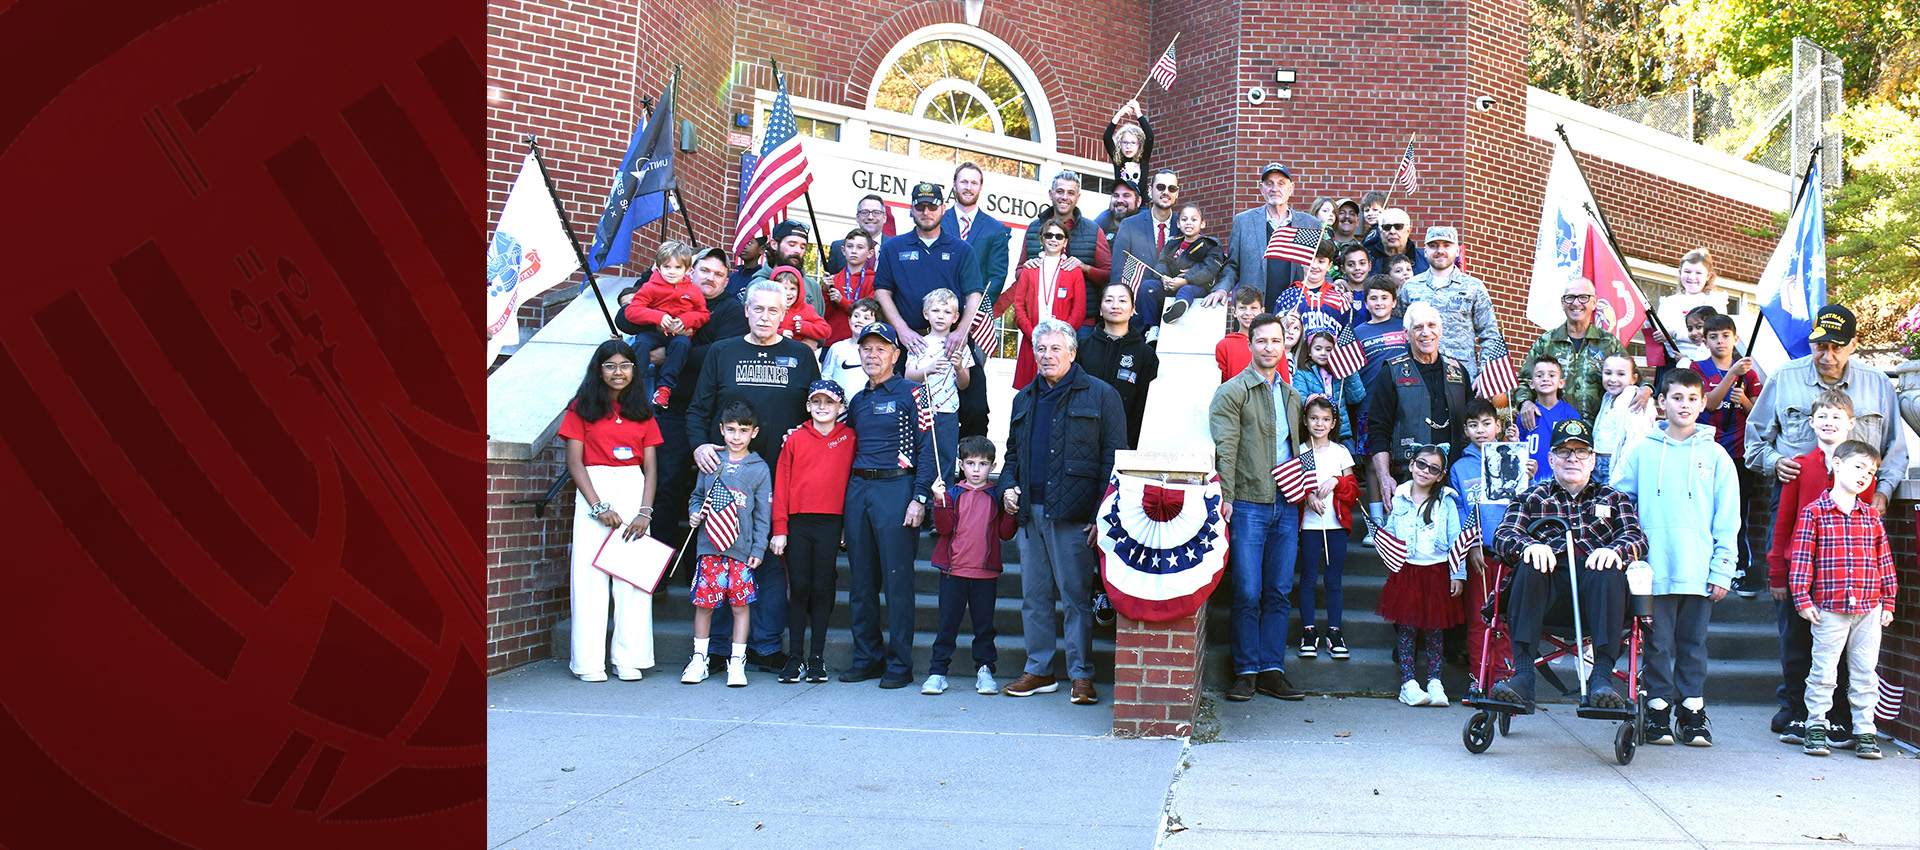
(1420, 398)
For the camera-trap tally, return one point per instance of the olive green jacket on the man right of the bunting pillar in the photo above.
(1241, 421)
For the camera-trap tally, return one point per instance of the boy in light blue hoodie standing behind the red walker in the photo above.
(1691, 509)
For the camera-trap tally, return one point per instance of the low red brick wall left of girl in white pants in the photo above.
(527, 557)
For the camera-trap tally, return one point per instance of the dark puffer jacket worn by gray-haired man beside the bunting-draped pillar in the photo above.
(1078, 450)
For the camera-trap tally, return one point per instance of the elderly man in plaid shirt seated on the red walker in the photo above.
(1606, 538)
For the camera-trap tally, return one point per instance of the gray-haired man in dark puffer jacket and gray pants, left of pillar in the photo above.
(1059, 456)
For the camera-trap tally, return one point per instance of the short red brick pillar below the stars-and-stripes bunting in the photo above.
(1157, 676)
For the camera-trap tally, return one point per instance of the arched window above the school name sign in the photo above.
(959, 83)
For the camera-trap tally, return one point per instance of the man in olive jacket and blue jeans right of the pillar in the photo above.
(1257, 425)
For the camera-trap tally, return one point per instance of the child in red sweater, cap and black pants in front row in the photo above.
(809, 500)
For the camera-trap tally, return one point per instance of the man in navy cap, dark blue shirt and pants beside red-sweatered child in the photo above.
(886, 504)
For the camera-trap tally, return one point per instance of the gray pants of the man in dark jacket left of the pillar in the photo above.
(1055, 563)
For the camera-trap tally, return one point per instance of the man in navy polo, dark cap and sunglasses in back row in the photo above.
(917, 264)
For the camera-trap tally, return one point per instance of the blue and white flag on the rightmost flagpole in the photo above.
(1794, 283)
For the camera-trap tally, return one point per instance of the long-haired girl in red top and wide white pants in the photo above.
(610, 437)
